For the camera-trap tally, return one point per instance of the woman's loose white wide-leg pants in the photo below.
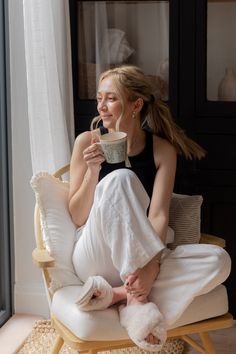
(118, 238)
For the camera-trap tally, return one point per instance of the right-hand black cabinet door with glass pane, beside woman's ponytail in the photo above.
(207, 110)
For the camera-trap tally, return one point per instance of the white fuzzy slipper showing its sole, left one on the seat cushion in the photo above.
(88, 302)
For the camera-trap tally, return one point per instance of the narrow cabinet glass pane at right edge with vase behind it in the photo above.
(221, 50)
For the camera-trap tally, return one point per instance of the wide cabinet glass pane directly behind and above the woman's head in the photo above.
(112, 33)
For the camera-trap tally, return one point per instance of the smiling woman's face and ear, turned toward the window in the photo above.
(109, 104)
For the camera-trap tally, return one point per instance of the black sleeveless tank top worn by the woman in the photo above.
(142, 164)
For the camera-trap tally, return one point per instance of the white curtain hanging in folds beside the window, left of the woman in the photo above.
(49, 82)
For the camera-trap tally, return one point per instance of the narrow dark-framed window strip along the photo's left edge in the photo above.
(5, 279)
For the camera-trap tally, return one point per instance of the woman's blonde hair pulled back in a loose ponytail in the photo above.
(132, 83)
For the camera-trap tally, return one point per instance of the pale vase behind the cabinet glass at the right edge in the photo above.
(227, 86)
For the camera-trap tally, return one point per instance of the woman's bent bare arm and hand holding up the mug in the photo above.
(84, 173)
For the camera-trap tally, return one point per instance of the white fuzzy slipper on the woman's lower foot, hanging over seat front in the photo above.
(140, 321)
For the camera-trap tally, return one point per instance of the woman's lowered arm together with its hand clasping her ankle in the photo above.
(165, 155)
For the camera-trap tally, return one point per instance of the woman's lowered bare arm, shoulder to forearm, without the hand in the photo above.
(165, 157)
